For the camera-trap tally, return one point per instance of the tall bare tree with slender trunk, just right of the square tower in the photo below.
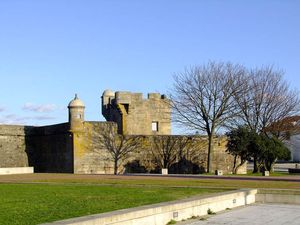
(203, 100)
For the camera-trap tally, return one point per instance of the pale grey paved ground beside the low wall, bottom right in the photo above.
(257, 214)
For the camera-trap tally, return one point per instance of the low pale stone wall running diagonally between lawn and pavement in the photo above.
(162, 213)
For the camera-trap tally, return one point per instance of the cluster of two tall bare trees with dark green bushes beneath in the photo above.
(256, 104)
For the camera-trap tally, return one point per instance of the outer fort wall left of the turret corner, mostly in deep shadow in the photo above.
(47, 149)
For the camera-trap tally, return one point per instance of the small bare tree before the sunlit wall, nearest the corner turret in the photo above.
(119, 146)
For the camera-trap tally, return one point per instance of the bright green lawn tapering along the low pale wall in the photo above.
(40, 203)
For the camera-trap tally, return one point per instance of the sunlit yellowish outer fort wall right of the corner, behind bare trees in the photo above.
(91, 158)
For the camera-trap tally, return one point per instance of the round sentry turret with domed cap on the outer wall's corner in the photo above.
(76, 114)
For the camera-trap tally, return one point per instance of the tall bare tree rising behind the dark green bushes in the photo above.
(267, 100)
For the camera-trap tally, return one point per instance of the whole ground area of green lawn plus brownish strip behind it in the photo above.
(38, 198)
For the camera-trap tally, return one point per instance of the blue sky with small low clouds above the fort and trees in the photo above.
(52, 49)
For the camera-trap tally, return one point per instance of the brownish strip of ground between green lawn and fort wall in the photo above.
(151, 181)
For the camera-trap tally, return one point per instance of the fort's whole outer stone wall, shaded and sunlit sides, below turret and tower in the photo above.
(55, 149)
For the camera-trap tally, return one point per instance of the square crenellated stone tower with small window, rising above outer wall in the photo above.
(136, 115)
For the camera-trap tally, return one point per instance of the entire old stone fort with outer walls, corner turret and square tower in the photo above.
(71, 147)
